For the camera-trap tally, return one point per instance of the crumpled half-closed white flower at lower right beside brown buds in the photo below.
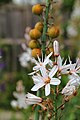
(68, 90)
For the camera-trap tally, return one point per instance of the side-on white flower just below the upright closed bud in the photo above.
(62, 67)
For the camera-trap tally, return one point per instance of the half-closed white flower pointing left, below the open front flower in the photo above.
(32, 99)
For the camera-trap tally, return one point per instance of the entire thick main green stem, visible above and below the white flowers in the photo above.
(44, 37)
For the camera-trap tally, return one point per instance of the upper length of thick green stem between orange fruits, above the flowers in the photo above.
(44, 36)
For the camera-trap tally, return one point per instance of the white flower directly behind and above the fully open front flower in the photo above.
(40, 64)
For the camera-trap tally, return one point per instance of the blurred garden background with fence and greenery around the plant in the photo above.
(15, 16)
